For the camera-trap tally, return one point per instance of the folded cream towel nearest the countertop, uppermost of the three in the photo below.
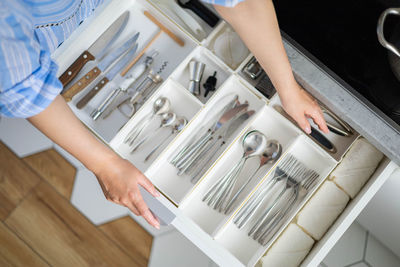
(357, 167)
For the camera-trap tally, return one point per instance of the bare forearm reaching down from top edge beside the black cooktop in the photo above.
(255, 22)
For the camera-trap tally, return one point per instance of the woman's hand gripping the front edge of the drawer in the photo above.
(120, 182)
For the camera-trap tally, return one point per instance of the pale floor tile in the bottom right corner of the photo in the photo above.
(378, 255)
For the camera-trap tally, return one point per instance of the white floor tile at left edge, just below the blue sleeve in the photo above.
(22, 138)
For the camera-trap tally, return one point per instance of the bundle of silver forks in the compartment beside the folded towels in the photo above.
(290, 183)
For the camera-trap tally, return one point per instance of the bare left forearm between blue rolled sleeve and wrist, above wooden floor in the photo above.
(59, 124)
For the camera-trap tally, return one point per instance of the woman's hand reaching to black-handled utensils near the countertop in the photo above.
(300, 106)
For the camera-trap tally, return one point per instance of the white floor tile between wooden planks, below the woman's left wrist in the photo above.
(89, 199)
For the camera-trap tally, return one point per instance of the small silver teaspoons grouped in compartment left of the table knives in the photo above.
(167, 120)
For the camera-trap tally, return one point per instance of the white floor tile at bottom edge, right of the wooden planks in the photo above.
(174, 250)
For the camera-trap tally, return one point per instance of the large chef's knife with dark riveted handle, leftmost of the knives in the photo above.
(97, 50)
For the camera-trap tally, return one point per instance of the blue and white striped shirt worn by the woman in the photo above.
(30, 30)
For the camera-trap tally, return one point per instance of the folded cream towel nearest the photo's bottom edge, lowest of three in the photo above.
(289, 250)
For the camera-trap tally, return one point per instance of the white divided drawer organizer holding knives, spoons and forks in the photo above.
(181, 204)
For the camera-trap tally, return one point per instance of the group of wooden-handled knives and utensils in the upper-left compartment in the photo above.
(115, 65)
